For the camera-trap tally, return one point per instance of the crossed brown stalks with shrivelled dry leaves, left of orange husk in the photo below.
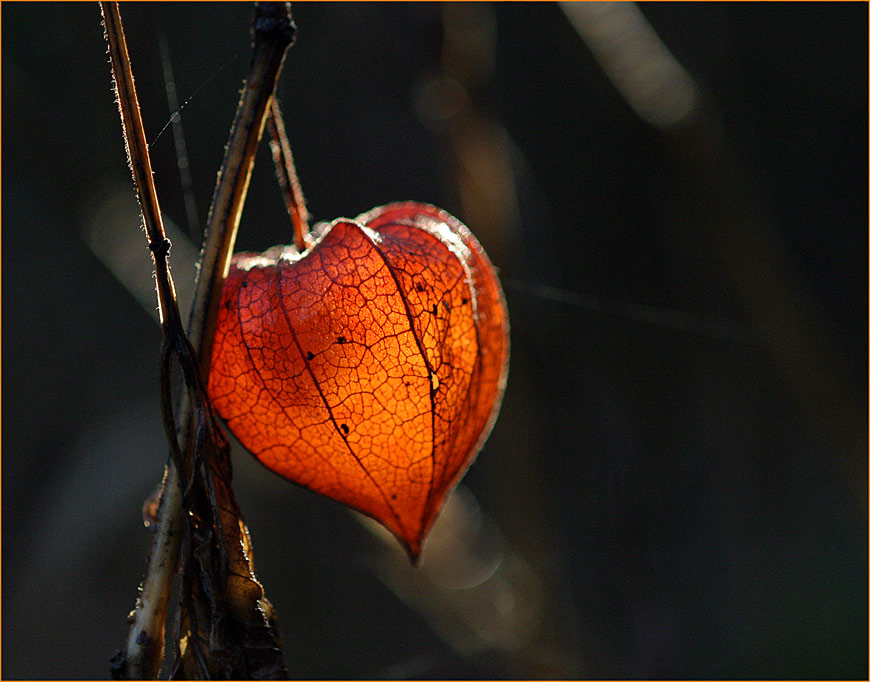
(202, 492)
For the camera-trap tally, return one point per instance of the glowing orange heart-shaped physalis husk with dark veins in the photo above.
(369, 368)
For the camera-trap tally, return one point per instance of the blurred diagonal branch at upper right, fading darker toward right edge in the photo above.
(736, 223)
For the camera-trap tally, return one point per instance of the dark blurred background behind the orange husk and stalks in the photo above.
(676, 486)
